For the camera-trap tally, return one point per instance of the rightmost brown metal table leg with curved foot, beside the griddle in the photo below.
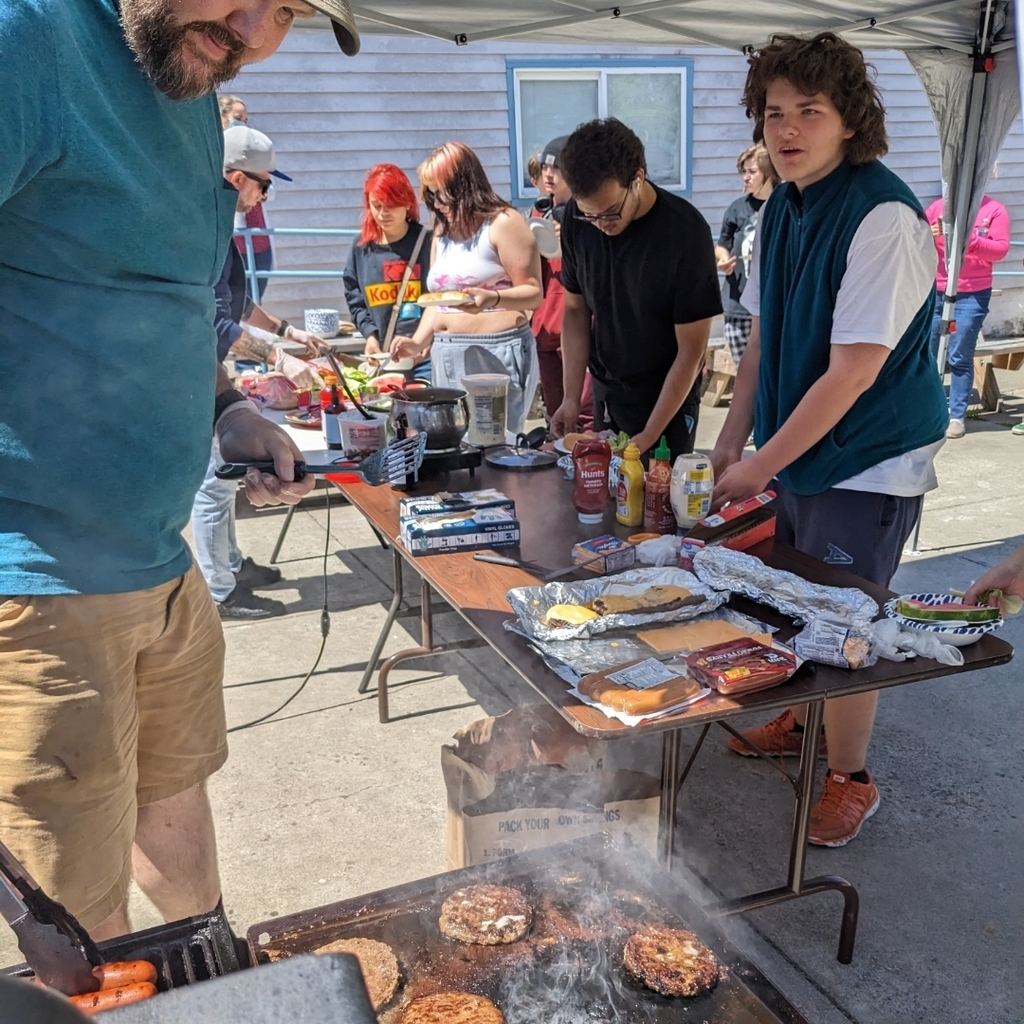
(798, 886)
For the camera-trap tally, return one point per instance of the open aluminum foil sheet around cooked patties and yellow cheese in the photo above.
(532, 604)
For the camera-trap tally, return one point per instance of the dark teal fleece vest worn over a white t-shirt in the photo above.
(804, 241)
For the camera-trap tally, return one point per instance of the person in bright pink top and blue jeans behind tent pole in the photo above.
(990, 243)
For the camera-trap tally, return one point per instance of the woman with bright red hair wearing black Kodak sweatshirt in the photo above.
(392, 238)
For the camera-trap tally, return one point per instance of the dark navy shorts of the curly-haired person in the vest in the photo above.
(855, 530)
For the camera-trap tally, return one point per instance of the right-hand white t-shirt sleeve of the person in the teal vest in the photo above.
(889, 271)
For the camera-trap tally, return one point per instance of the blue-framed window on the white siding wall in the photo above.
(653, 97)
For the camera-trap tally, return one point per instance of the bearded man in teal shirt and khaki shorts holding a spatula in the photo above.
(115, 222)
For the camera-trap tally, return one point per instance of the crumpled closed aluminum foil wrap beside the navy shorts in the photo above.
(794, 596)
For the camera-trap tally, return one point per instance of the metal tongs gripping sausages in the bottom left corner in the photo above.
(56, 946)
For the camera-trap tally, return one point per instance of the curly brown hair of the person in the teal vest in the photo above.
(828, 65)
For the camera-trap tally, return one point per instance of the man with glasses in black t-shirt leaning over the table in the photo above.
(642, 288)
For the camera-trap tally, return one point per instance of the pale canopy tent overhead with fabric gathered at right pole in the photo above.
(964, 53)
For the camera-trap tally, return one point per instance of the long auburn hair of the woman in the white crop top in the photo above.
(454, 175)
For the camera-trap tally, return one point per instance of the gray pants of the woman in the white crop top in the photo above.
(513, 353)
